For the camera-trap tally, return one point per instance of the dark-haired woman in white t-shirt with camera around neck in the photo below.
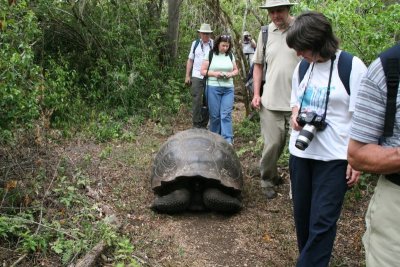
(322, 110)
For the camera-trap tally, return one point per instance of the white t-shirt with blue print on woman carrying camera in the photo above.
(331, 143)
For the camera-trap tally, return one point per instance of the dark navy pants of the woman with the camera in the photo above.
(318, 189)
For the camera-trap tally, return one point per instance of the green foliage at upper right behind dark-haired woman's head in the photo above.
(365, 28)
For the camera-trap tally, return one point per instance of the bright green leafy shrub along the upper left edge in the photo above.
(20, 76)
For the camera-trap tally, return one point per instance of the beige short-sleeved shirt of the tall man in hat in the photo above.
(281, 61)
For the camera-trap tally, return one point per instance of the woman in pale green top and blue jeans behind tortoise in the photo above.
(219, 68)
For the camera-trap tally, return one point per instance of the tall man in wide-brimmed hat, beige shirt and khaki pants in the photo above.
(274, 103)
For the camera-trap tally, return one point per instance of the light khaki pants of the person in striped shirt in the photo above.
(382, 236)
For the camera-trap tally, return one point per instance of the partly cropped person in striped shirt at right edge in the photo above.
(375, 147)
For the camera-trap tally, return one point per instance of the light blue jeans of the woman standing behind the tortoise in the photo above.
(220, 105)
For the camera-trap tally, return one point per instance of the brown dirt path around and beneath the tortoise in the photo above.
(262, 234)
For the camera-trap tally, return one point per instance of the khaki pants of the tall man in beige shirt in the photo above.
(274, 128)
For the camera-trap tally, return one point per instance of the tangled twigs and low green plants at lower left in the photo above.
(46, 213)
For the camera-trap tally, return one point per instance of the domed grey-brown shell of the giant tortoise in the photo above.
(197, 153)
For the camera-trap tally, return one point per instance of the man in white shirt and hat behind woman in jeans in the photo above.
(198, 50)
